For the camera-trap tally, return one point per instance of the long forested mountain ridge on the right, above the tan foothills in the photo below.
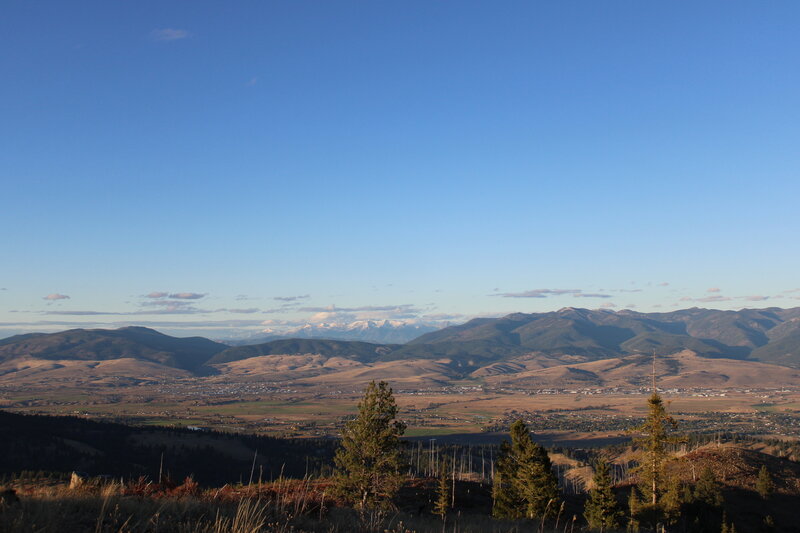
(768, 335)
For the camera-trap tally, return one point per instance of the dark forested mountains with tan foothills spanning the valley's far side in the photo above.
(569, 346)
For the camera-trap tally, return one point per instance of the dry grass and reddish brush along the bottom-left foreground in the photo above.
(295, 506)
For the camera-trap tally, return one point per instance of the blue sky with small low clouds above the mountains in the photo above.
(206, 164)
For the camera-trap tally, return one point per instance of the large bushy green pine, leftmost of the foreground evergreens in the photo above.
(368, 463)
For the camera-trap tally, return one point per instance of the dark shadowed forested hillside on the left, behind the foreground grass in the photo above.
(64, 444)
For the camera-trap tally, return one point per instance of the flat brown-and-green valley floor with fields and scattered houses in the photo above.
(462, 412)
